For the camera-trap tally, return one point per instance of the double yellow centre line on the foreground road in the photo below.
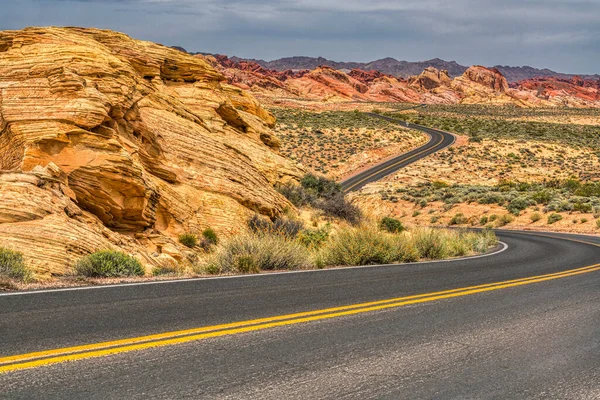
(291, 319)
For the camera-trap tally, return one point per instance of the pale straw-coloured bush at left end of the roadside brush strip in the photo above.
(249, 253)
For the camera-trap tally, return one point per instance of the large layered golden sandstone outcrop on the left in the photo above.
(110, 142)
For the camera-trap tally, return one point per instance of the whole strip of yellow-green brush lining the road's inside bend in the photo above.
(254, 252)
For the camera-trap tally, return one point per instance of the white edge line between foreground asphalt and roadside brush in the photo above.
(120, 285)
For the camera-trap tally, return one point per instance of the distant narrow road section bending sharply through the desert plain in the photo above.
(439, 140)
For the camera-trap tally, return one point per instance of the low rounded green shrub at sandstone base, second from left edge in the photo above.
(109, 264)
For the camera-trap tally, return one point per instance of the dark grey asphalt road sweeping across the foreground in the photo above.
(529, 339)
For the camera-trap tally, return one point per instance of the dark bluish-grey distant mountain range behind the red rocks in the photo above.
(405, 69)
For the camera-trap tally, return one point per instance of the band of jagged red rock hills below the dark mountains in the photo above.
(477, 85)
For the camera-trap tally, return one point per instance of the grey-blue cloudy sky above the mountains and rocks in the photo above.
(563, 35)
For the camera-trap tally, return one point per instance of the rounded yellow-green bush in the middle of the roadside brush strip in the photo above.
(367, 246)
